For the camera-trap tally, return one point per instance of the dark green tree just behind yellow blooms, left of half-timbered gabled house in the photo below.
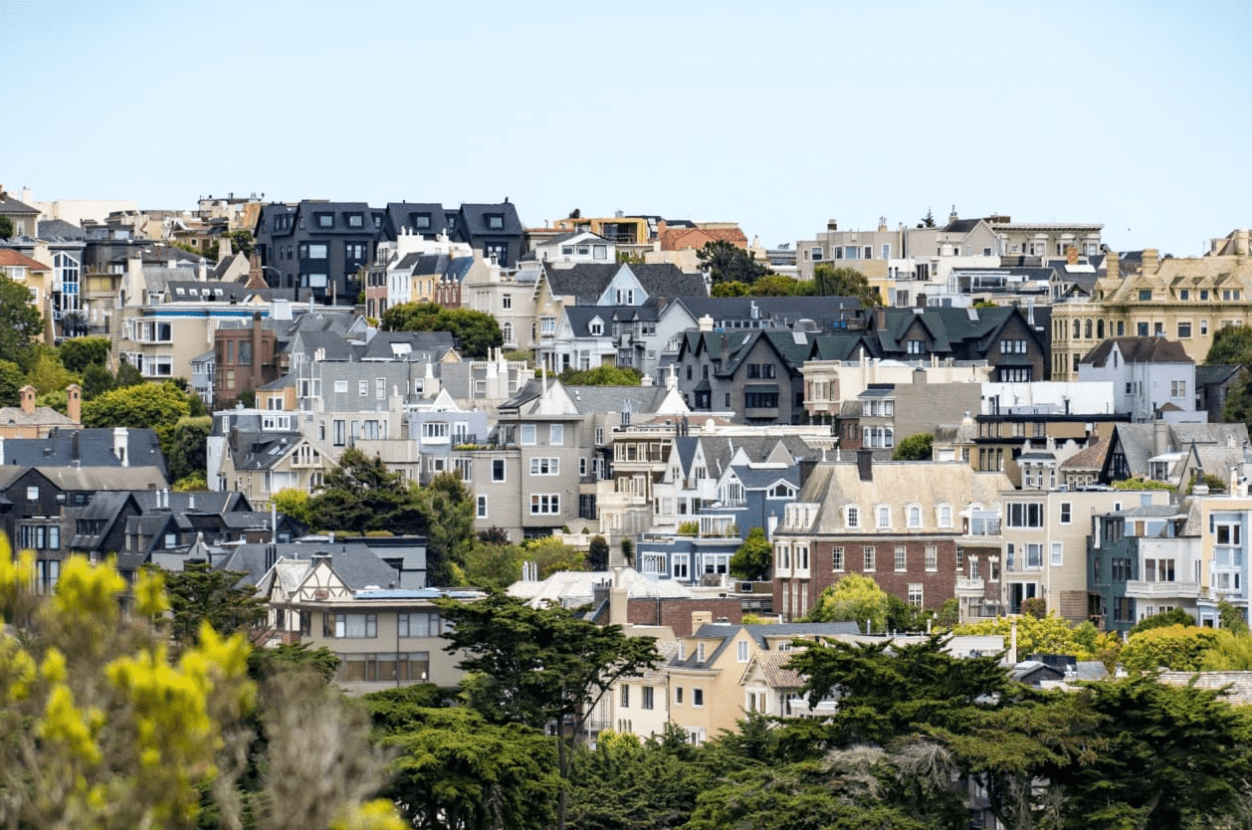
(200, 594)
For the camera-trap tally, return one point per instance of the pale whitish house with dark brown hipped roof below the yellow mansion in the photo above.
(1152, 377)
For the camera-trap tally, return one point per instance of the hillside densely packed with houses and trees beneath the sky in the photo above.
(987, 464)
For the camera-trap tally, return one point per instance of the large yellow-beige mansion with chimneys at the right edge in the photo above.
(1186, 299)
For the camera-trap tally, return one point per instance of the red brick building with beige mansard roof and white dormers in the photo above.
(908, 525)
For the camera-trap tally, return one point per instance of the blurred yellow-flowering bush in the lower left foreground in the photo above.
(105, 729)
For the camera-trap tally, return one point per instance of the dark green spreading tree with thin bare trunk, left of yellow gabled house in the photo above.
(539, 667)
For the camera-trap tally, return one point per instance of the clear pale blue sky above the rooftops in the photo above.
(778, 116)
